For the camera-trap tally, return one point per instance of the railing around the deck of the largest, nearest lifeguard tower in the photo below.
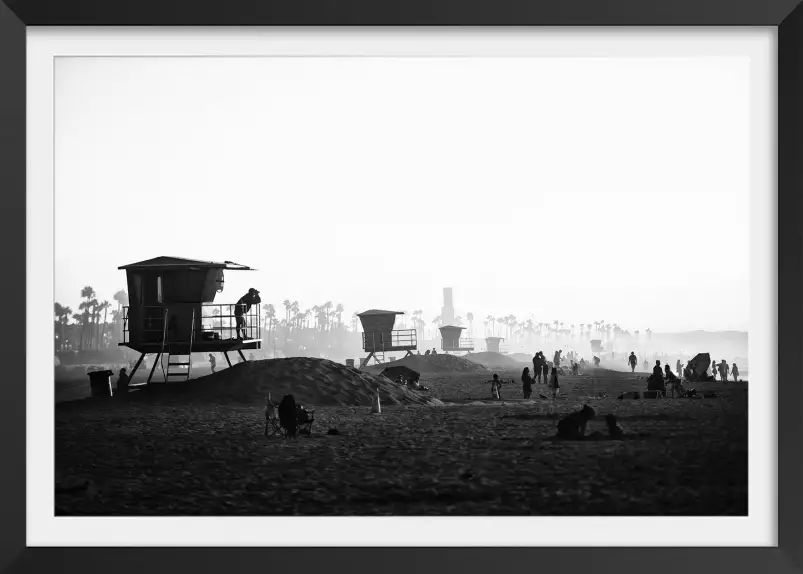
(217, 318)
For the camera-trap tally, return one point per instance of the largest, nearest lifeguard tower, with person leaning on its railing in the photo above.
(172, 311)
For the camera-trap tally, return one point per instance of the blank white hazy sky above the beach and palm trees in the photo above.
(564, 188)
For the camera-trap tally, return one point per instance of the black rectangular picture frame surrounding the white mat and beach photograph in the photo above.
(15, 15)
